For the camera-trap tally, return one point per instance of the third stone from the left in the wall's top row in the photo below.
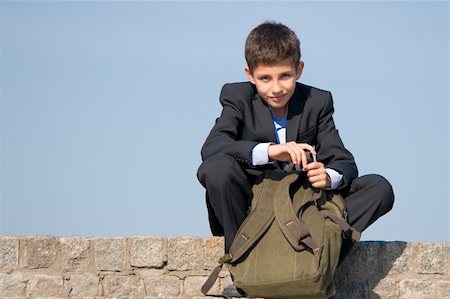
(75, 254)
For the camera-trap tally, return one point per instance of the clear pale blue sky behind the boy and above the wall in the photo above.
(105, 106)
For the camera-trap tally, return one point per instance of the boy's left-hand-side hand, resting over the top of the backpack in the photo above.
(291, 151)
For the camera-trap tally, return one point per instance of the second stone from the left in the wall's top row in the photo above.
(39, 252)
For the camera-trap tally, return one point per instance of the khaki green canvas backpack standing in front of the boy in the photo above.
(289, 245)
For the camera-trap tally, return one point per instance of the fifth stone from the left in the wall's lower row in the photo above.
(163, 286)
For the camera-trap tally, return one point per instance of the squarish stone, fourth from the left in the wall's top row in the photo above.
(110, 254)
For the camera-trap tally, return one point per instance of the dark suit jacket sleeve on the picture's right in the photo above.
(330, 148)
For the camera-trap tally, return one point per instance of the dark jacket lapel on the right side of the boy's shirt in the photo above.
(295, 110)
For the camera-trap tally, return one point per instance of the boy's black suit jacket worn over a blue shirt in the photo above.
(246, 121)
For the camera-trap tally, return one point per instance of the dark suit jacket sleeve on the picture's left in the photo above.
(225, 136)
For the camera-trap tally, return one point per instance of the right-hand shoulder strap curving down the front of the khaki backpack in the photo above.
(293, 228)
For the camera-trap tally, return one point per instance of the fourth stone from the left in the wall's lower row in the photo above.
(117, 285)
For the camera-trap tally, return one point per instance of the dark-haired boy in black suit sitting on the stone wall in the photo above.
(272, 120)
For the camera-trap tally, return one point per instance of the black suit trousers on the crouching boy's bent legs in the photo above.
(229, 192)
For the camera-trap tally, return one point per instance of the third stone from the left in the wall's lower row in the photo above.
(83, 285)
